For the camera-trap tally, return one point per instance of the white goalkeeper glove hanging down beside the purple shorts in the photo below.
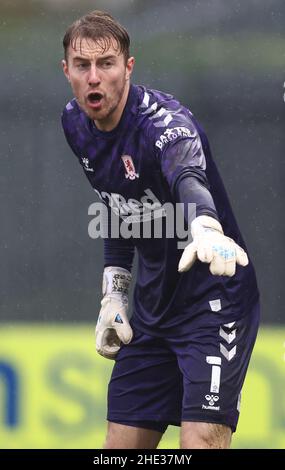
(113, 324)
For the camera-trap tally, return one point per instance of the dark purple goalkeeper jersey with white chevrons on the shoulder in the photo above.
(156, 145)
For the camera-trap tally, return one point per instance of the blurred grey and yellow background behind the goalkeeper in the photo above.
(225, 60)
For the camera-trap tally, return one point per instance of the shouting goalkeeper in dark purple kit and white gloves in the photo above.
(182, 357)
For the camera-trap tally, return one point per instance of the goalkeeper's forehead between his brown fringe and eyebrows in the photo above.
(90, 49)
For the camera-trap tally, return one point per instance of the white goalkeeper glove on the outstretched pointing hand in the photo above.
(210, 245)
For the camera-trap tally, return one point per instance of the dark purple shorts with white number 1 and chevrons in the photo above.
(195, 377)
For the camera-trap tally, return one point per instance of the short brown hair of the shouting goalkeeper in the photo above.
(100, 27)
